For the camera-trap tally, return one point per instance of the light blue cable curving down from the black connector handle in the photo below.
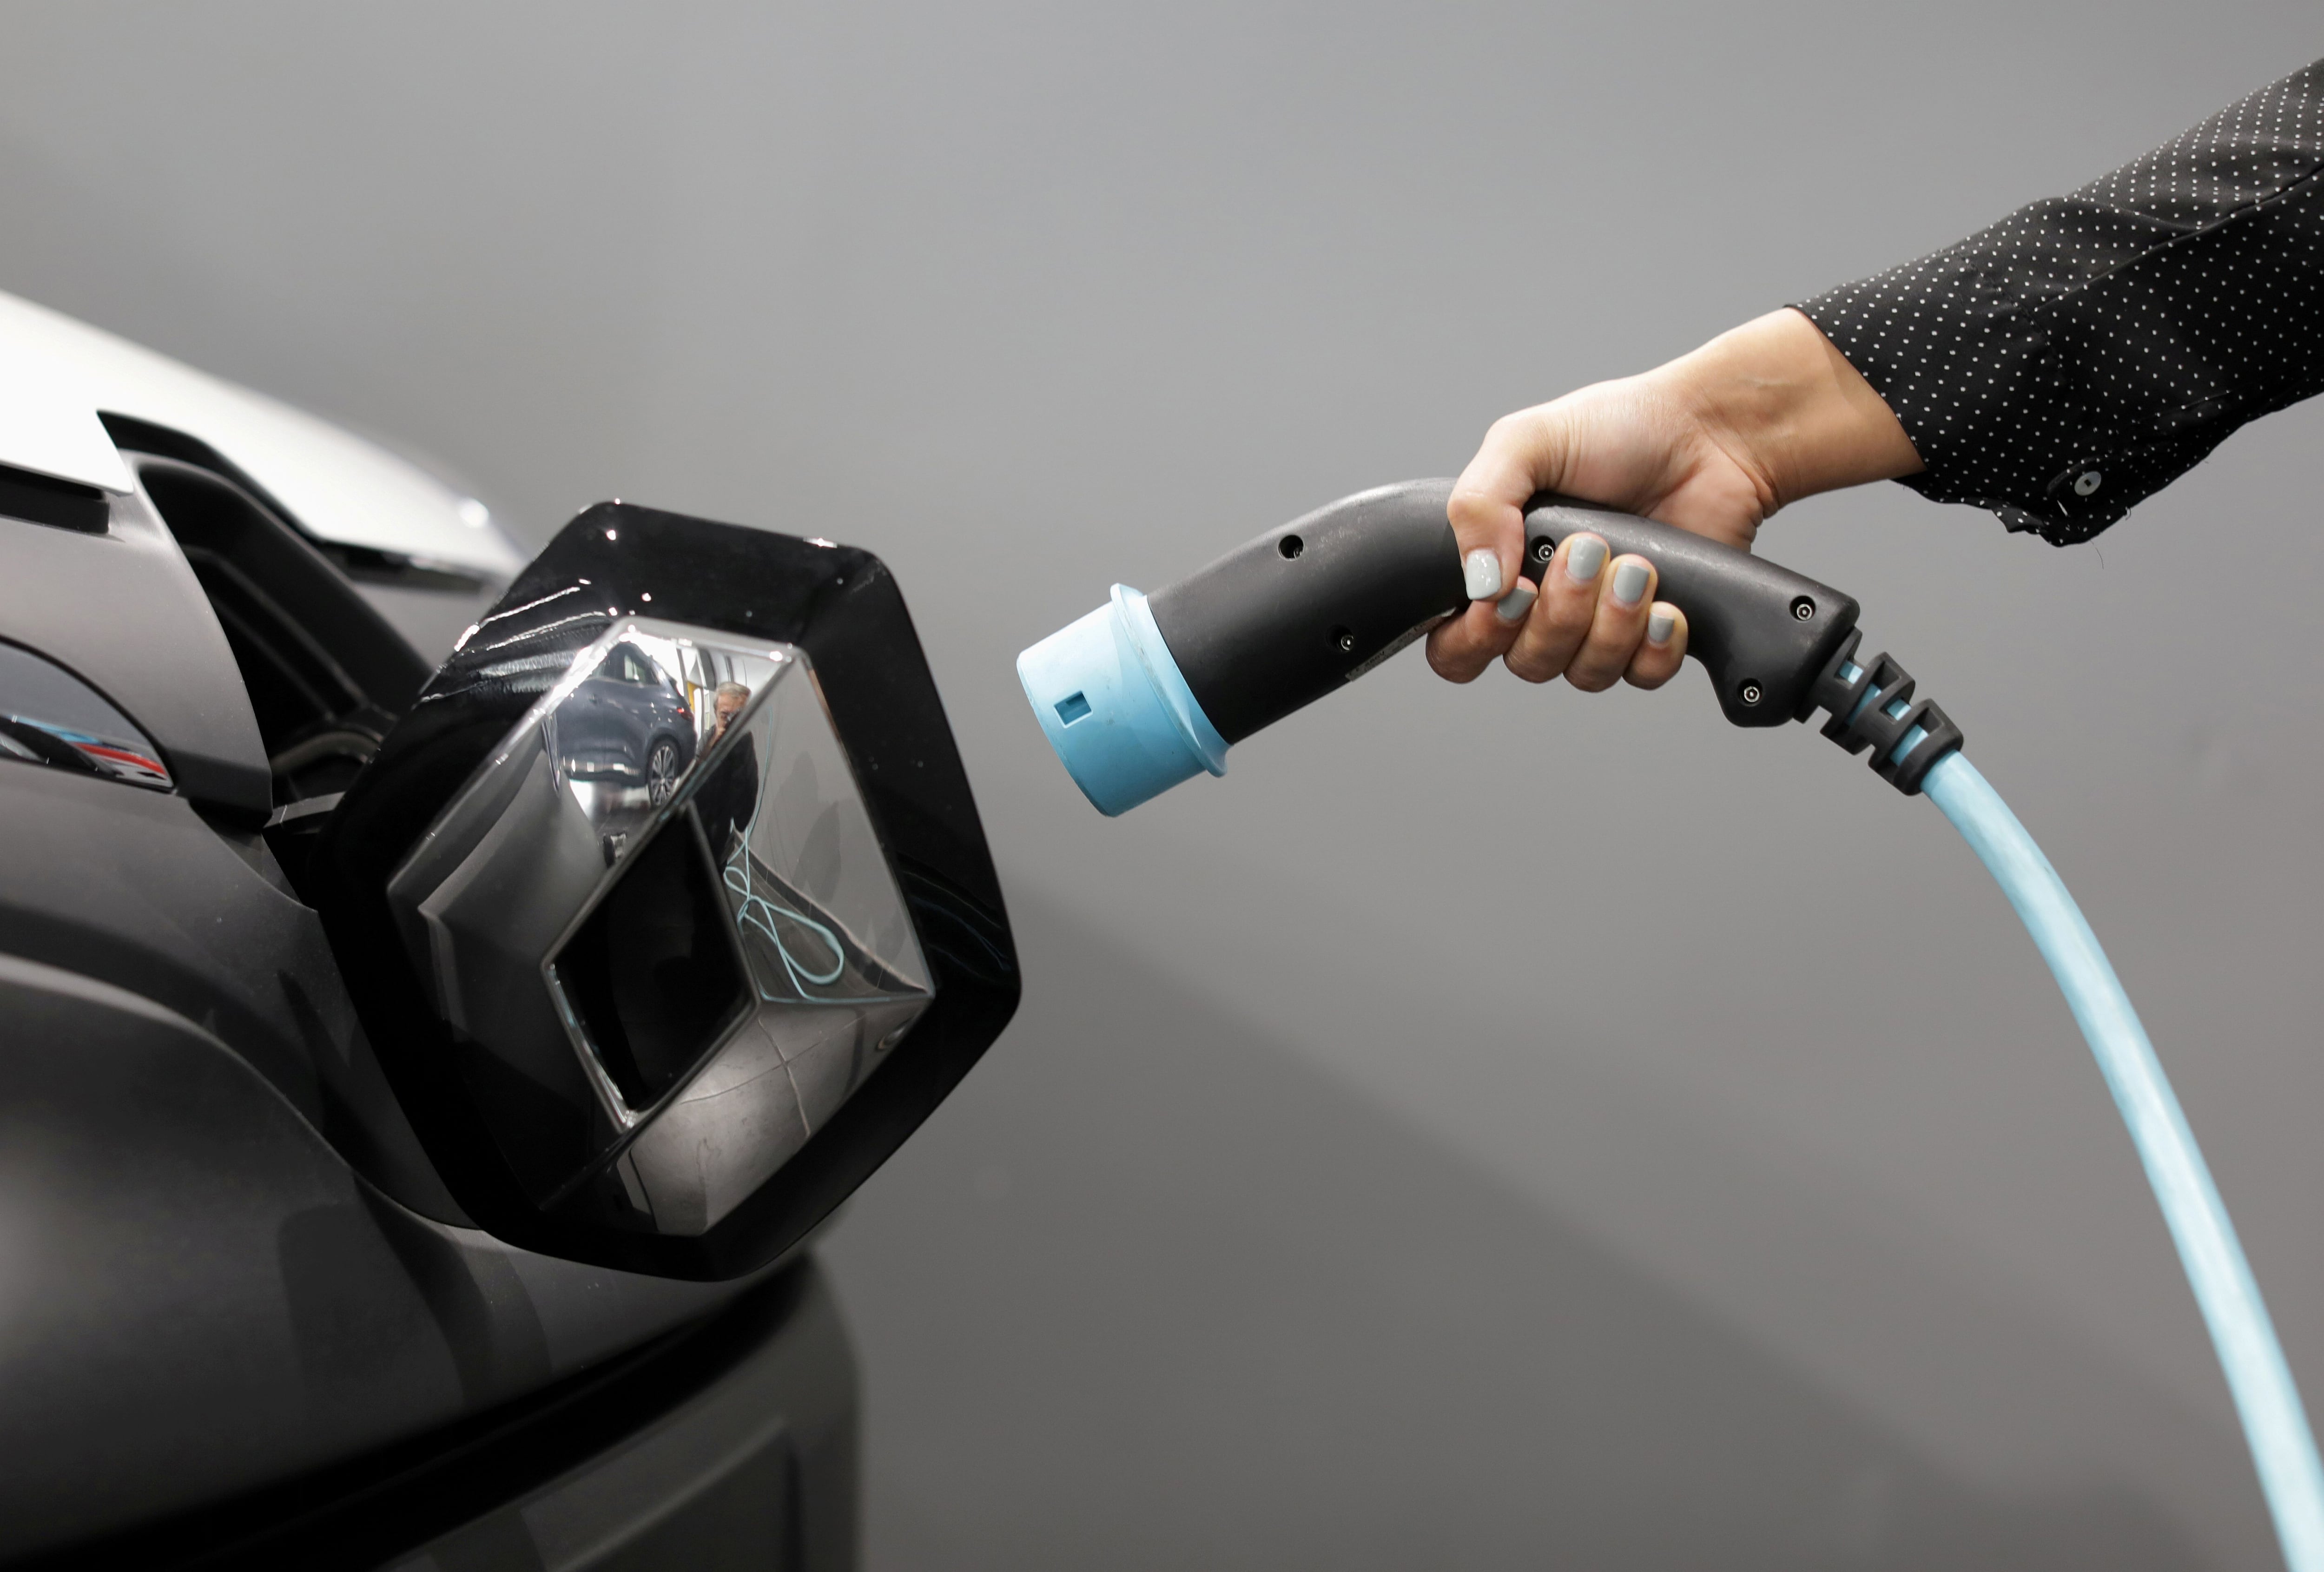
(2267, 1399)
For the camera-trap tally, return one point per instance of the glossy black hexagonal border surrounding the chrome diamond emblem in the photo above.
(845, 610)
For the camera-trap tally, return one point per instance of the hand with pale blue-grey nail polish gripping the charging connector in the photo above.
(1714, 443)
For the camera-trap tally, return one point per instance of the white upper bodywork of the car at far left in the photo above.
(59, 373)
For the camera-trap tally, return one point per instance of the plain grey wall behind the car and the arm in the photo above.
(1493, 1127)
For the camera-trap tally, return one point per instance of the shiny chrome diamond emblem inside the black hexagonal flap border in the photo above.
(664, 927)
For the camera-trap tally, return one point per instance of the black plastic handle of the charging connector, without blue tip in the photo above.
(1303, 610)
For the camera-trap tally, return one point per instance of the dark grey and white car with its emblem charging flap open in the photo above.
(431, 1036)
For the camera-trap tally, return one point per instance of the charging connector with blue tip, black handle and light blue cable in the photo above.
(1152, 692)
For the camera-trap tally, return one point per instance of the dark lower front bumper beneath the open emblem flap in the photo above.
(752, 1403)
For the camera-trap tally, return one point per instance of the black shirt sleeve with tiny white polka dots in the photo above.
(2088, 350)
